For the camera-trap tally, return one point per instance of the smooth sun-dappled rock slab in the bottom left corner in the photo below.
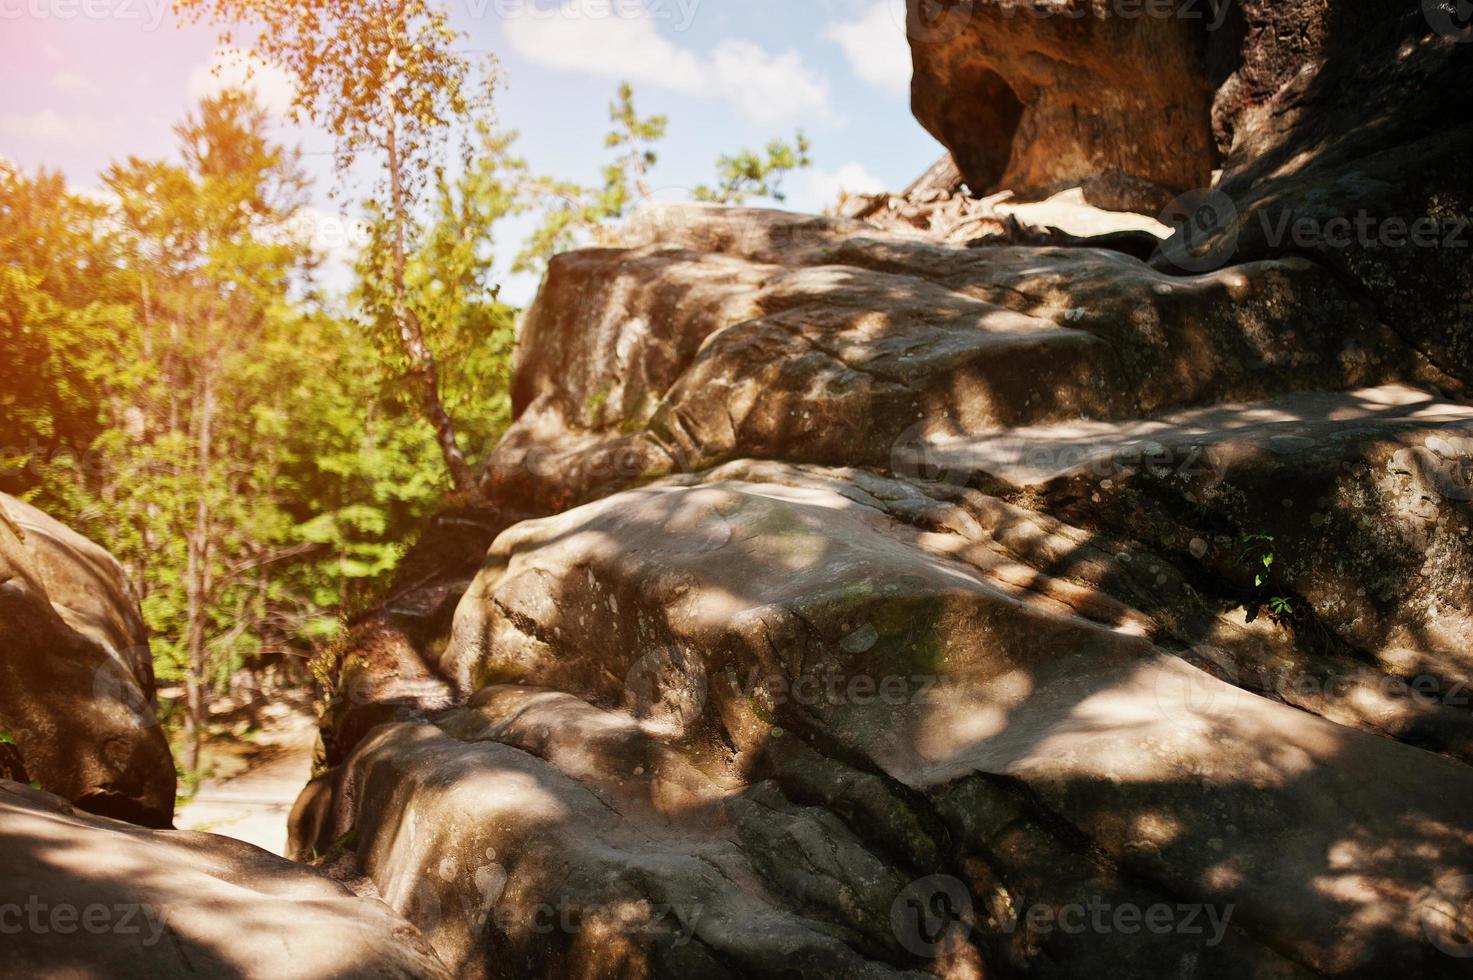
(95, 898)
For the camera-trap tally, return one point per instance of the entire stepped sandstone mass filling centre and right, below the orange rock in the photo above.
(886, 608)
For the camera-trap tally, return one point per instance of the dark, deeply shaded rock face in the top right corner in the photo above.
(1359, 161)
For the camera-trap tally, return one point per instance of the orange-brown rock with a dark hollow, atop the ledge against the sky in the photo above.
(1038, 94)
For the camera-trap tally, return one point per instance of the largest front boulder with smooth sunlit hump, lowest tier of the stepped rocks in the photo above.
(767, 708)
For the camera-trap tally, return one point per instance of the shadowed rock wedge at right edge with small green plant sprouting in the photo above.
(1351, 512)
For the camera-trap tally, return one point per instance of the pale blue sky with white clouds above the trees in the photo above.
(91, 82)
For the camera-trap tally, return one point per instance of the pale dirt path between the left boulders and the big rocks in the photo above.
(254, 805)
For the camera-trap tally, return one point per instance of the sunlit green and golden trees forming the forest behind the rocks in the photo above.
(257, 455)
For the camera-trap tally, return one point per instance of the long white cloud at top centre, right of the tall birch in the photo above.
(767, 89)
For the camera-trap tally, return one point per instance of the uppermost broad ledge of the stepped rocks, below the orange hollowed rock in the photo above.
(725, 332)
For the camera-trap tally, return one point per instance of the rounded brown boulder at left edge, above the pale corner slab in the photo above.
(77, 676)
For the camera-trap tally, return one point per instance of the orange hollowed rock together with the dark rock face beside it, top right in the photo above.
(1343, 132)
